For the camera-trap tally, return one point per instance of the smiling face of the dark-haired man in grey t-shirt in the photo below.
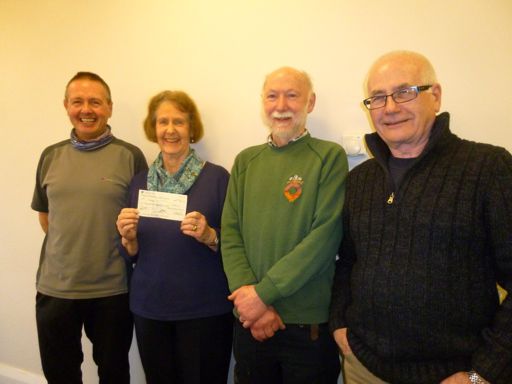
(88, 108)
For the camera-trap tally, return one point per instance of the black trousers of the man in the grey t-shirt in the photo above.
(107, 323)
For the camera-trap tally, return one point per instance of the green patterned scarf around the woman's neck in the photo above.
(180, 182)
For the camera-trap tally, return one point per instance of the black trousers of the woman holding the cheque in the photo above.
(196, 351)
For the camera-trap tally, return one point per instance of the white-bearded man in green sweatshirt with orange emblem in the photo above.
(281, 228)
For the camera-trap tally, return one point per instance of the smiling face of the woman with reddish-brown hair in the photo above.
(173, 134)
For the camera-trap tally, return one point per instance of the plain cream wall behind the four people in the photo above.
(219, 52)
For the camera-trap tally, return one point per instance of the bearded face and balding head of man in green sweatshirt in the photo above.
(287, 99)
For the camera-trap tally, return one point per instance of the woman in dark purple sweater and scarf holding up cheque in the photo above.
(178, 293)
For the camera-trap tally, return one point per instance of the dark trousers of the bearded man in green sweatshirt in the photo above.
(300, 354)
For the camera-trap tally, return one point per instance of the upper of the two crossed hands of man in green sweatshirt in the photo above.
(248, 305)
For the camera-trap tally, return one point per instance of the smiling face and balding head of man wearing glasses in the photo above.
(404, 127)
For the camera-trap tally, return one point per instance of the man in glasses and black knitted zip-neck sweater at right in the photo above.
(427, 235)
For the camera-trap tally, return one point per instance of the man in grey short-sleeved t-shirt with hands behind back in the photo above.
(81, 185)
